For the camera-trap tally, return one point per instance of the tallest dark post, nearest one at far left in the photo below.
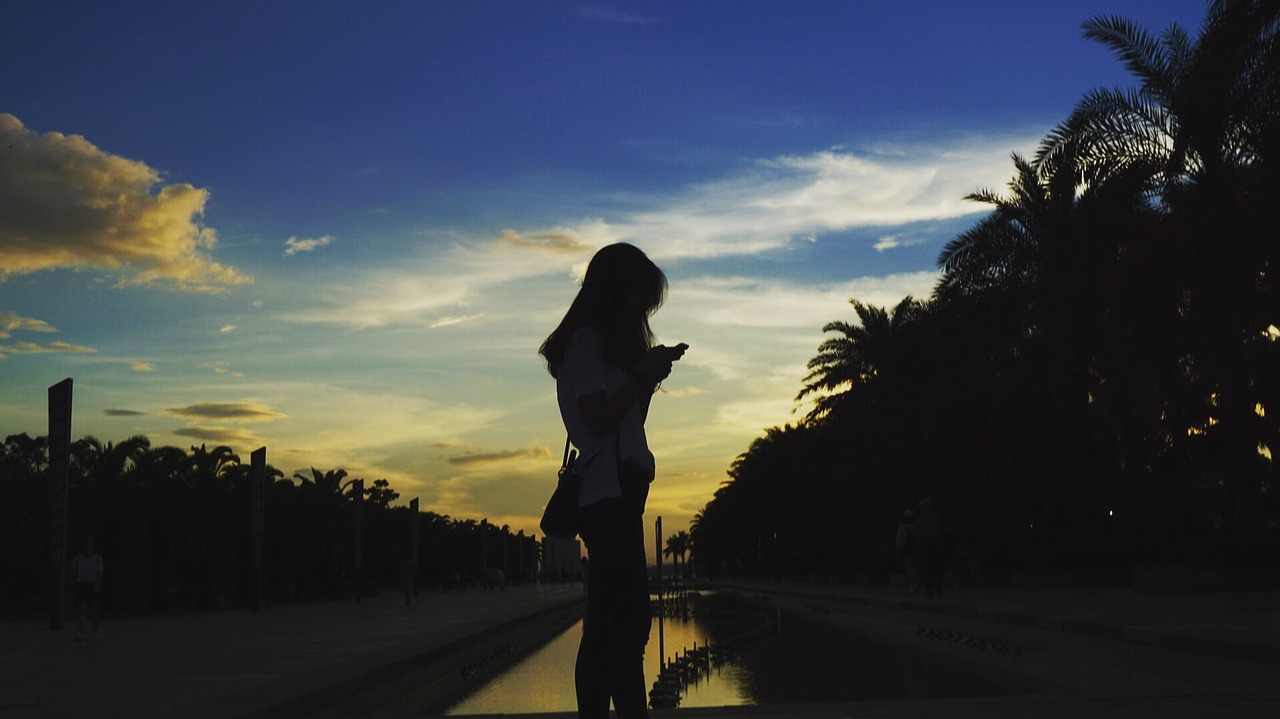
(60, 469)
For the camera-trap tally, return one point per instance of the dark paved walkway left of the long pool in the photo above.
(284, 662)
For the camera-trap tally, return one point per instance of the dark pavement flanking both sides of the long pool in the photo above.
(1092, 654)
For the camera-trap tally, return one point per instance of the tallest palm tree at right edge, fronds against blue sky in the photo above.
(1203, 126)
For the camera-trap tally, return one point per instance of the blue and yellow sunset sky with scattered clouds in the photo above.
(341, 231)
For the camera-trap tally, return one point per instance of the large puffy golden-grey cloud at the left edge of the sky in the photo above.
(67, 204)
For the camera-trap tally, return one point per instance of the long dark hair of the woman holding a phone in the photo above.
(621, 291)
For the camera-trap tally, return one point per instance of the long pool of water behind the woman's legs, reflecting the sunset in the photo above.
(758, 657)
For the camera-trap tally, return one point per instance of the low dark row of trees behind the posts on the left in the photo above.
(173, 528)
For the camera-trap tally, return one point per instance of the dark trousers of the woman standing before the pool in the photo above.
(616, 628)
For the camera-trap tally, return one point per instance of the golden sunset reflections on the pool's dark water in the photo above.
(545, 680)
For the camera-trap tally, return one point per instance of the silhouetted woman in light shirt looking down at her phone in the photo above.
(606, 368)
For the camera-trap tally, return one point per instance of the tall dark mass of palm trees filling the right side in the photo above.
(1095, 382)
